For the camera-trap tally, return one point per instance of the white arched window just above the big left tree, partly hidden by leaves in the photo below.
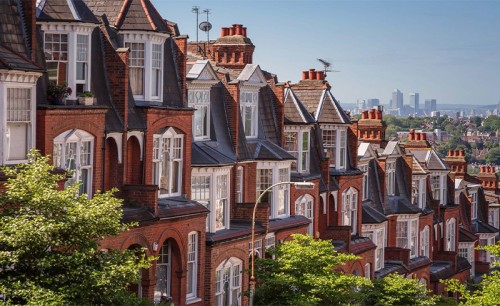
(74, 151)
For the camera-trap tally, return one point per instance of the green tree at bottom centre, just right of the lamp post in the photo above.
(305, 272)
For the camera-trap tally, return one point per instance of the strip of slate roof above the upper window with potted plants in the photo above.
(65, 10)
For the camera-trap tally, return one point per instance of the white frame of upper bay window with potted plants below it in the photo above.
(72, 32)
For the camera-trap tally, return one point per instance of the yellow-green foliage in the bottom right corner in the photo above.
(487, 291)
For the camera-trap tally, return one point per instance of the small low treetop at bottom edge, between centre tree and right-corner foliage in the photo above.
(395, 289)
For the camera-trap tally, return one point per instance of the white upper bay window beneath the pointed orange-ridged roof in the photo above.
(145, 65)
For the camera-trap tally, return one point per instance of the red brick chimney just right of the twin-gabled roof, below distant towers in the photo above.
(371, 127)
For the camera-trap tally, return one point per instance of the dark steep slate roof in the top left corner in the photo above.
(14, 48)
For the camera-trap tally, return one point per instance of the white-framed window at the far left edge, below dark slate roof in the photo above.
(13, 114)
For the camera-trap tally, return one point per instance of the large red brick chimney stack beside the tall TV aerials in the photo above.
(233, 49)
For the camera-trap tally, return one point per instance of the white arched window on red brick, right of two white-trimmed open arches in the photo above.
(168, 152)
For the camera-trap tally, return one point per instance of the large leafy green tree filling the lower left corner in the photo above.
(49, 242)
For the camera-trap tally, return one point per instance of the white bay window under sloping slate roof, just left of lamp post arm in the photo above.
(218, 196)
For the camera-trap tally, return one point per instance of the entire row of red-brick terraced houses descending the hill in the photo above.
(191, 134)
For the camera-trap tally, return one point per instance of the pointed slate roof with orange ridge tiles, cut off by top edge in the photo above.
(138, 15)
